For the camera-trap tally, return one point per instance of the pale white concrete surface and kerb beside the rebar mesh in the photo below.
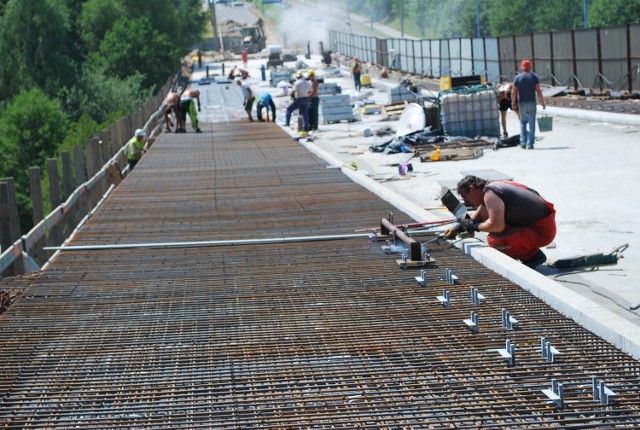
(586, 166)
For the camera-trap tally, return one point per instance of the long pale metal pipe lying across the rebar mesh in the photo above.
(209, 243)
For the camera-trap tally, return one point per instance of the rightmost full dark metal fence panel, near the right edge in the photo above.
(613, 43)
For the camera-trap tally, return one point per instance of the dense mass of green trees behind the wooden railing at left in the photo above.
(69, 68)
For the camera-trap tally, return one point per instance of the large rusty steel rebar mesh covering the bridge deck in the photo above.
(321, 334)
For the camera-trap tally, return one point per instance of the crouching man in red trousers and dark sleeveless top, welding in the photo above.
(519, 221)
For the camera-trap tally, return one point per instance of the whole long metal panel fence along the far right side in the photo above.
(580, 58)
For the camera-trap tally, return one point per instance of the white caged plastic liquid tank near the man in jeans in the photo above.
(470, 114)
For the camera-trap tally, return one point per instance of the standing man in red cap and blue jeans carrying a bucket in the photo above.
(526, 86)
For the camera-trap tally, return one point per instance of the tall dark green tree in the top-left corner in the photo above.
(35, 47)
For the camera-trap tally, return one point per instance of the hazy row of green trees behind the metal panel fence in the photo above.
(437, 19)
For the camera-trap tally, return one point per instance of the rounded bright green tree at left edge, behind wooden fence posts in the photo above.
(31, 128)
